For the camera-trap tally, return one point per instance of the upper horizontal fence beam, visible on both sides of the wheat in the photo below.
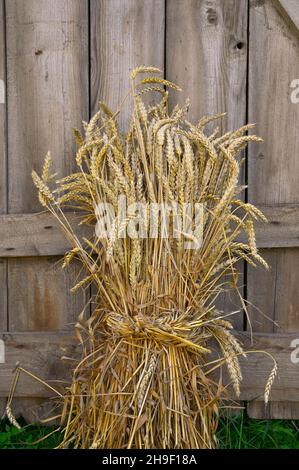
(40, 234)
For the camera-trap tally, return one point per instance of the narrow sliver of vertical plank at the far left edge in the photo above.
(3, 162)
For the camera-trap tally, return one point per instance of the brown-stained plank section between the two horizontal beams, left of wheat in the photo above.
(41, 298)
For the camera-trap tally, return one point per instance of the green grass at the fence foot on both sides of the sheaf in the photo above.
(237, 432)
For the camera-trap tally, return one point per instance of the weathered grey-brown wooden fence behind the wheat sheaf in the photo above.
(58, 58)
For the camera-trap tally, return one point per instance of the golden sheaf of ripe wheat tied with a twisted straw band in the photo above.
(144, 380)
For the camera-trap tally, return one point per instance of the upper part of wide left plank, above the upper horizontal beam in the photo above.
(47, 57)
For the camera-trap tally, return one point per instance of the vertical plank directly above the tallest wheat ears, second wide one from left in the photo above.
(124, 34)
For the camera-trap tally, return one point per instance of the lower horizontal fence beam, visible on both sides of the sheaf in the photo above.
(41, 353)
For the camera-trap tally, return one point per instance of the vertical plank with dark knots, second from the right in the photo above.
(206, 54)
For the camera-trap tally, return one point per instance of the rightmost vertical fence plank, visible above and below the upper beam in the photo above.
(274, 169)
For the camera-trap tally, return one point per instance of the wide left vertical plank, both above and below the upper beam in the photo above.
(47, 57)
